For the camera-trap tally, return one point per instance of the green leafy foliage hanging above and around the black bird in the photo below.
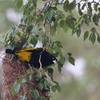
(41, 24)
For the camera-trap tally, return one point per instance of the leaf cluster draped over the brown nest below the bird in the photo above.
(37, 83)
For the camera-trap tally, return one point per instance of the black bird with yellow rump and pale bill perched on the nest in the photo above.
(32, 55)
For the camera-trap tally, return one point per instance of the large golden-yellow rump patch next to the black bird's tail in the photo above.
(23, 55)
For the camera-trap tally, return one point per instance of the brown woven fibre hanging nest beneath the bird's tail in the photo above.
(12, 69)
